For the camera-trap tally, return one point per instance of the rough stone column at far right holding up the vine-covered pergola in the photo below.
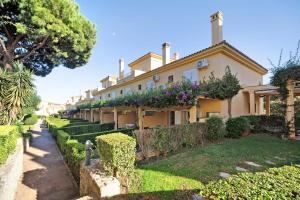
(290, 112)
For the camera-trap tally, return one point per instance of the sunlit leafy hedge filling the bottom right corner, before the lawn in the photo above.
(274, 183)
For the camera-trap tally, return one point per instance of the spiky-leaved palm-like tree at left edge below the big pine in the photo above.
(16, 88)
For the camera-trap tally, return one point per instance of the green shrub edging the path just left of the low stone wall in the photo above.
(74, 154)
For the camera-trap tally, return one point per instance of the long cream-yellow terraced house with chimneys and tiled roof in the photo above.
(154, 70)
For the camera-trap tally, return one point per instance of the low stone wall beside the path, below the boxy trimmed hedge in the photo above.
(95, 183)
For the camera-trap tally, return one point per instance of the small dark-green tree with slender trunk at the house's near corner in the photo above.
(222, 88)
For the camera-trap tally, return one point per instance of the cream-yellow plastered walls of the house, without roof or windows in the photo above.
(217, 64)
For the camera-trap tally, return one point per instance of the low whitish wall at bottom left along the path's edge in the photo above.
(11, 172)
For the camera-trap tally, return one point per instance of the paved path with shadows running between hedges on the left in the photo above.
(45, 175)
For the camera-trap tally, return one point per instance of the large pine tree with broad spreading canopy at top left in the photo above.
(43, 34)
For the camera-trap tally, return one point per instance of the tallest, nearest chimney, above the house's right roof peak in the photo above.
(216, 27)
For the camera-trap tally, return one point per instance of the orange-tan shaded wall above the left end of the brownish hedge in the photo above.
(158, 119)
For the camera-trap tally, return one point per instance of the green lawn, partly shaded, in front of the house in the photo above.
(191, 169)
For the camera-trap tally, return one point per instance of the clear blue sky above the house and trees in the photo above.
(131, 28)
